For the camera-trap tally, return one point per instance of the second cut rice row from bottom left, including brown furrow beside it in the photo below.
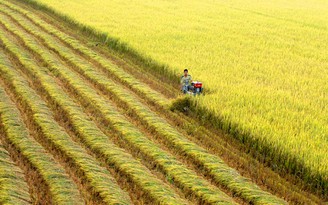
(49, 185)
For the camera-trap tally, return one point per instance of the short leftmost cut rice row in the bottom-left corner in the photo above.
(13, 188)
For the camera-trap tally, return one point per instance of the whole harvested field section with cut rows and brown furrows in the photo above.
(81, 126)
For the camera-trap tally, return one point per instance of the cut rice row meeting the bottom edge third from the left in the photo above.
(101, 184)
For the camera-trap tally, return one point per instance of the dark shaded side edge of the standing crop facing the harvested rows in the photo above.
(262, 151)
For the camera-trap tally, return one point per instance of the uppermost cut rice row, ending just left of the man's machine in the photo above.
(106, 64)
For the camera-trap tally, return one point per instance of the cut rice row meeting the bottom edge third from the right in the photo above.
(99, 143)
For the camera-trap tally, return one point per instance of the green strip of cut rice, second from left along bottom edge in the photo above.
(62, 189)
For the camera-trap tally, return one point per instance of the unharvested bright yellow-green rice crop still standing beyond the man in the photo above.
(264, 61)
